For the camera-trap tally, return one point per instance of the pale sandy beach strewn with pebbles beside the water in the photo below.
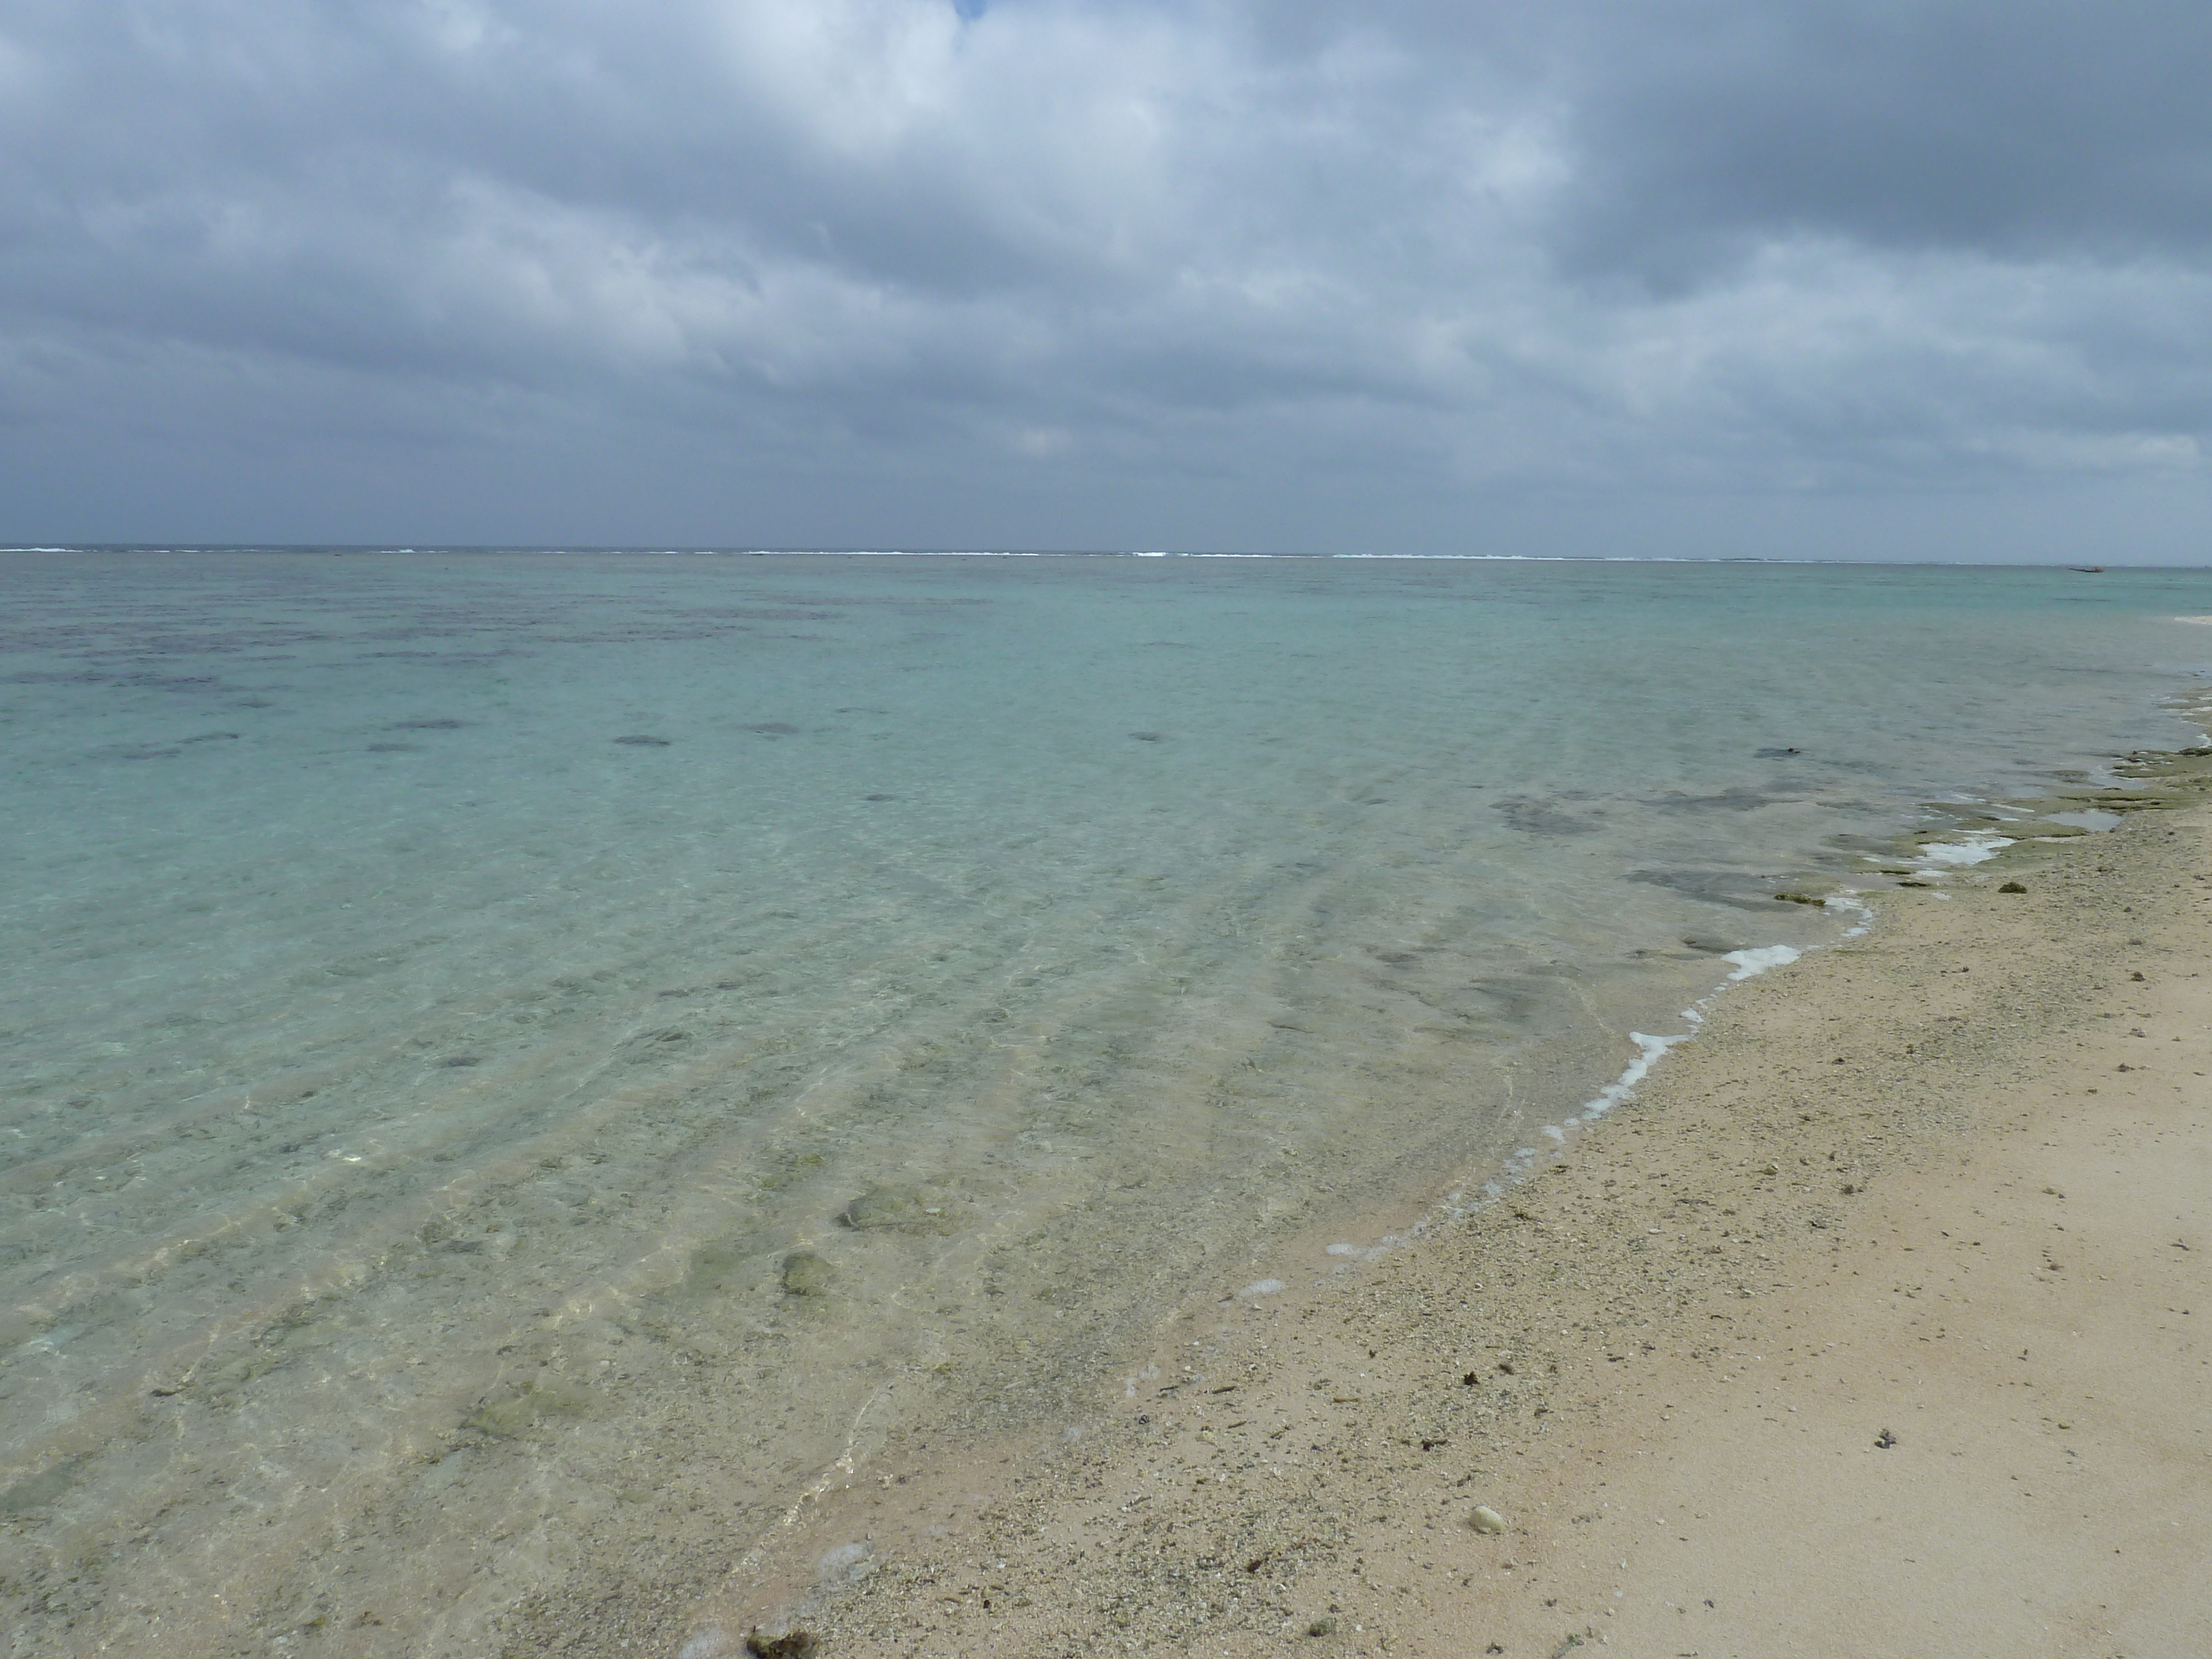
(1875, 1326)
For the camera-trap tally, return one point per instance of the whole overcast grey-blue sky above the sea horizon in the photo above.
(1550, 278)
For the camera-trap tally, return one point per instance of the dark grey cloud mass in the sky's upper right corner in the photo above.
(2021, 129)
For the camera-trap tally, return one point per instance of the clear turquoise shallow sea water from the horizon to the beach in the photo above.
(435, 1125)
